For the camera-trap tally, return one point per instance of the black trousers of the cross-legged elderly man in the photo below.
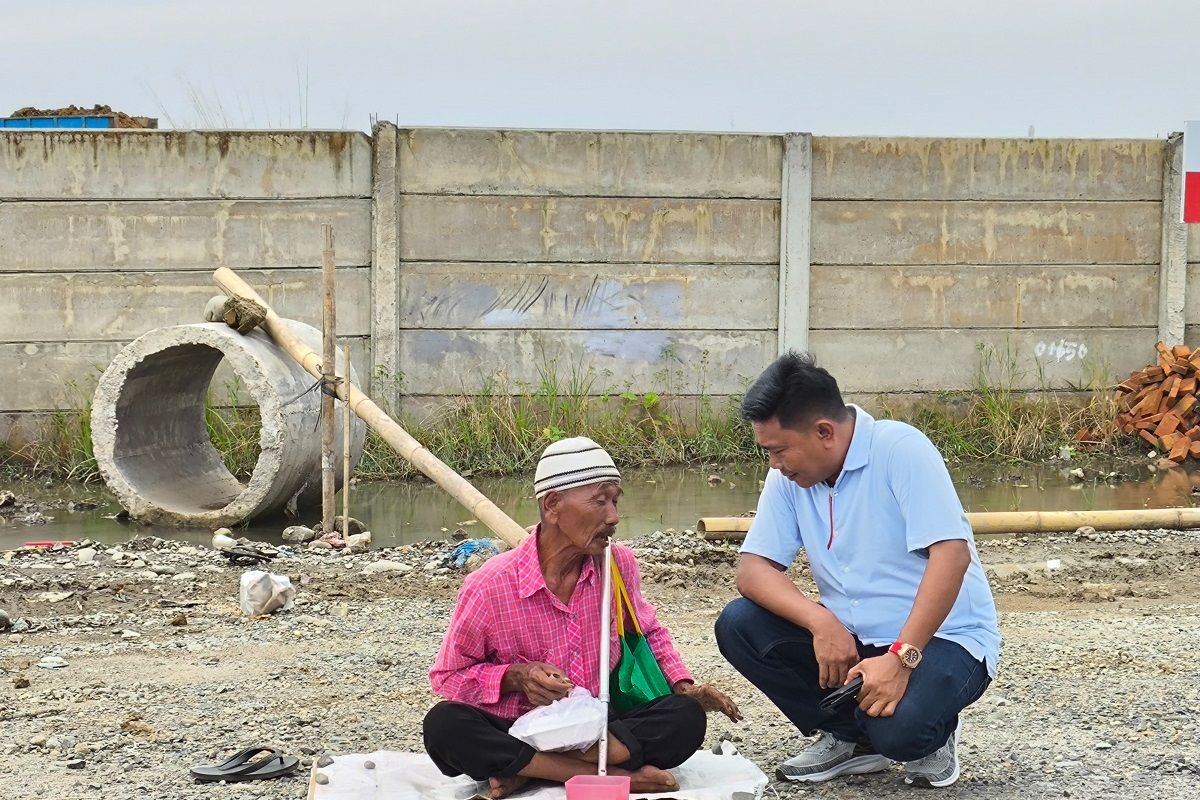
(465, 741)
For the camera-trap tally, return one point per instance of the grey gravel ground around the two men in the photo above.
(1099, 693)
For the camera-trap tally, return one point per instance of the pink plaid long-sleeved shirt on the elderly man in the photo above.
(507, 616)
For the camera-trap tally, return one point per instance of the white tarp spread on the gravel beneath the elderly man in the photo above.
(413, 777)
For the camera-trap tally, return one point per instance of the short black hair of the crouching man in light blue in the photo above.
(794, 390)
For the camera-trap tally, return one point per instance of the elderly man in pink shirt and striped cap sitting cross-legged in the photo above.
(527, 630)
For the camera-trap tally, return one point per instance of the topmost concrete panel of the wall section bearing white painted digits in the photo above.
(995, 170)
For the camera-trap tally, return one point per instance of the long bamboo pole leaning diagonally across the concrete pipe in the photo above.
(479, 507)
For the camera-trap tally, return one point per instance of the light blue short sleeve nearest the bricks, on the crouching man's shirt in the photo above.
(923, 490)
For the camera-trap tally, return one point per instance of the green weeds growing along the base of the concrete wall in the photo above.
(503, 429)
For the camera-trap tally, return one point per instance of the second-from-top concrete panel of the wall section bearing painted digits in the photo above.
(849, 232)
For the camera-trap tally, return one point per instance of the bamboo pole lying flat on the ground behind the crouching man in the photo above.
(1013, 522)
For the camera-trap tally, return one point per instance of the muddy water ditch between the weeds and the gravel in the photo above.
(655, 500)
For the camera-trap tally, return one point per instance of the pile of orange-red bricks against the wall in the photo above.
(1160, 404)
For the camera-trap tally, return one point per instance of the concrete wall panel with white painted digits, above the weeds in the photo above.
(945, 360)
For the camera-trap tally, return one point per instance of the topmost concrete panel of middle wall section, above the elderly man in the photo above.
(587, 164)
